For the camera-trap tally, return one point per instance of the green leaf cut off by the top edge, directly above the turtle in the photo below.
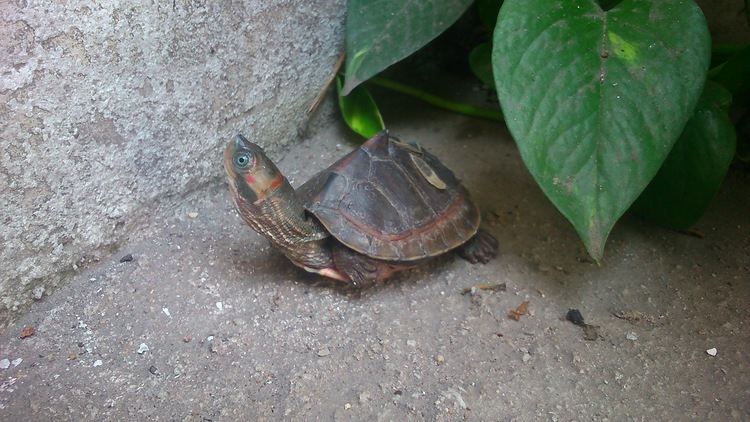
(380, 33)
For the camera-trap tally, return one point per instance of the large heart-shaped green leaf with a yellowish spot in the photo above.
(595, 99)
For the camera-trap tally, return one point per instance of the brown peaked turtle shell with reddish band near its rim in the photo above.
(392, 201)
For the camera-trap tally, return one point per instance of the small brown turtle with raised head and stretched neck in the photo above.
(386, 206)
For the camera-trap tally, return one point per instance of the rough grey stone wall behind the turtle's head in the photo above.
(109, 108)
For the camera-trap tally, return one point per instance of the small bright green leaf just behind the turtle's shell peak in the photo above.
(359, 110)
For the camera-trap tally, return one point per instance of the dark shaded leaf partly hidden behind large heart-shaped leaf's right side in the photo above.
(692, 173)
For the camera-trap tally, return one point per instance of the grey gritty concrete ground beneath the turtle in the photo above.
(208, 323)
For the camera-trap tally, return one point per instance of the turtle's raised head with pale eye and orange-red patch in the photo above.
(252, 176)
